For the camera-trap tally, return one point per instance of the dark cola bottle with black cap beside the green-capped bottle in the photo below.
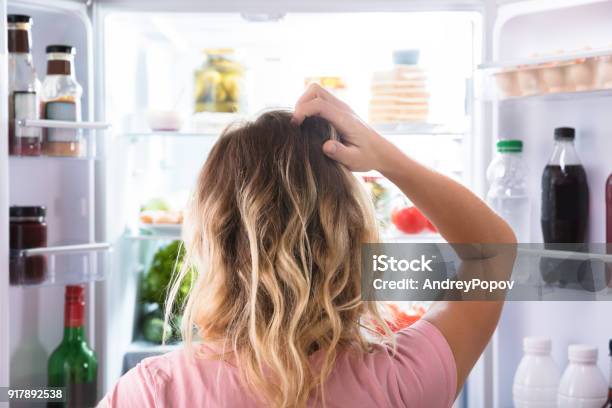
(565, 209)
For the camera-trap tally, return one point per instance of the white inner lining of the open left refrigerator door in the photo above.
(67, 188)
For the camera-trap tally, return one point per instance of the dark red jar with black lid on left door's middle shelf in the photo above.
(28, 229)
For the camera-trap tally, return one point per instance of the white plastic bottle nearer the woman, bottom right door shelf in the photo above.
(536, 380)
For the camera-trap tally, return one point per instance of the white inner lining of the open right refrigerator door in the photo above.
(520, 35)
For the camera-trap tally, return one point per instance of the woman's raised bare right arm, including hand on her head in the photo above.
(457, 213)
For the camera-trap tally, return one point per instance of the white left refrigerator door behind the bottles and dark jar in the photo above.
(32, 317)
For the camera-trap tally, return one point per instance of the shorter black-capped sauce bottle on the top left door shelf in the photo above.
(62, 101)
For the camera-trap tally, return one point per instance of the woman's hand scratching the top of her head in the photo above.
(361, 146)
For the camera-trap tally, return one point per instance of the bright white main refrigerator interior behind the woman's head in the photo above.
(149, 65)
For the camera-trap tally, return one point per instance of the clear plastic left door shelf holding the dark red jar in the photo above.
(58, 265)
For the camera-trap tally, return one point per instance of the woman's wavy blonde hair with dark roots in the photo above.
(274, 232)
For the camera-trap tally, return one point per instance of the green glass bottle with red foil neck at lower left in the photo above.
(73, 364)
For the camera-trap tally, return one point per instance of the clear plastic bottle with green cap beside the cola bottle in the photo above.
(508, 190)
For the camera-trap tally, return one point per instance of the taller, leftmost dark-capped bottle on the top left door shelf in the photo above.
(23, 87)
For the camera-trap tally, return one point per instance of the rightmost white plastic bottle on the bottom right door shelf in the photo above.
(582, 384)
